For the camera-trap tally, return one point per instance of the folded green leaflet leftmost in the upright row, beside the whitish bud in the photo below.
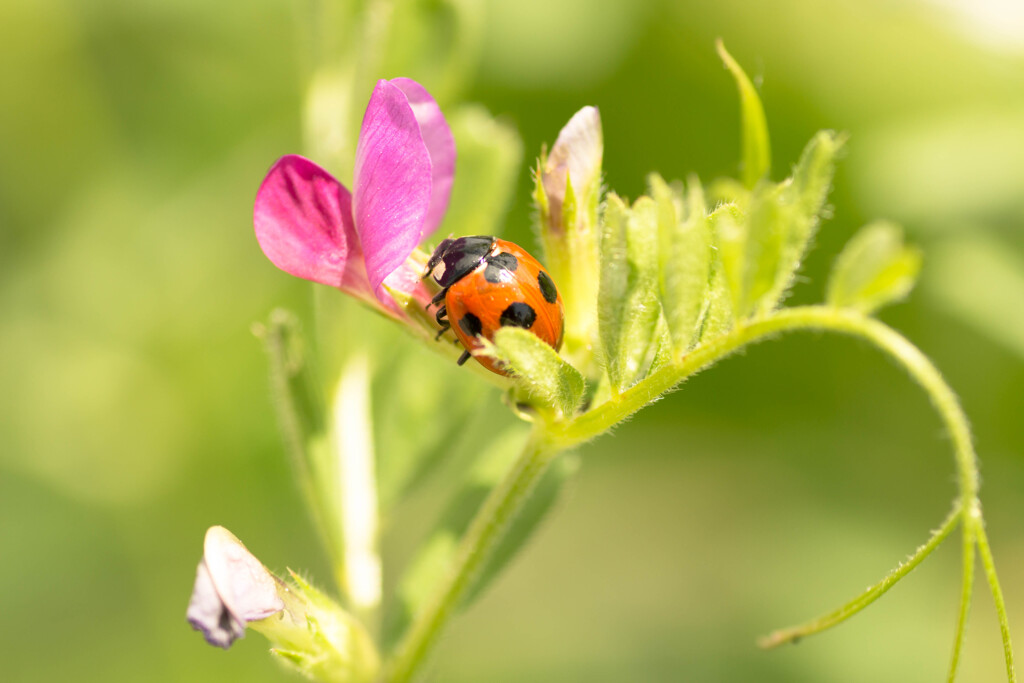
(628, 302)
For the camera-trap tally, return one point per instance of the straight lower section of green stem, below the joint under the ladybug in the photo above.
(480, 542)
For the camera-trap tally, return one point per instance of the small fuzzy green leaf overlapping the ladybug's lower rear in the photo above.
(540, 369)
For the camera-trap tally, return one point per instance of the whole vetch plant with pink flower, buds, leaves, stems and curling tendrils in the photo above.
(655, 289)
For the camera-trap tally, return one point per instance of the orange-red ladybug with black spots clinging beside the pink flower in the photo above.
(489, 284)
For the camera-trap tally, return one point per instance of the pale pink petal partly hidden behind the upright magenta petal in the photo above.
(441, 146)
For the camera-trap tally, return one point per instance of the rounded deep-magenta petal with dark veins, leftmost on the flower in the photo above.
(304, 220)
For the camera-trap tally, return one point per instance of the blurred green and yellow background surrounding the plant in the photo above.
(135, 410)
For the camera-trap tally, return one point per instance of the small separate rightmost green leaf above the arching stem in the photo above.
(875, 269)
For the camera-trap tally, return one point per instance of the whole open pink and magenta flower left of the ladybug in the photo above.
(310, 226)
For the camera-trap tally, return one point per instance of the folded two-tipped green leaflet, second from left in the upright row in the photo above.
(685, 259)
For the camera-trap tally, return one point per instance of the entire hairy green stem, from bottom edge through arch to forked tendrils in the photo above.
(505, 501)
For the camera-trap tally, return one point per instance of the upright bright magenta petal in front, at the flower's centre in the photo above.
(393, 184)
